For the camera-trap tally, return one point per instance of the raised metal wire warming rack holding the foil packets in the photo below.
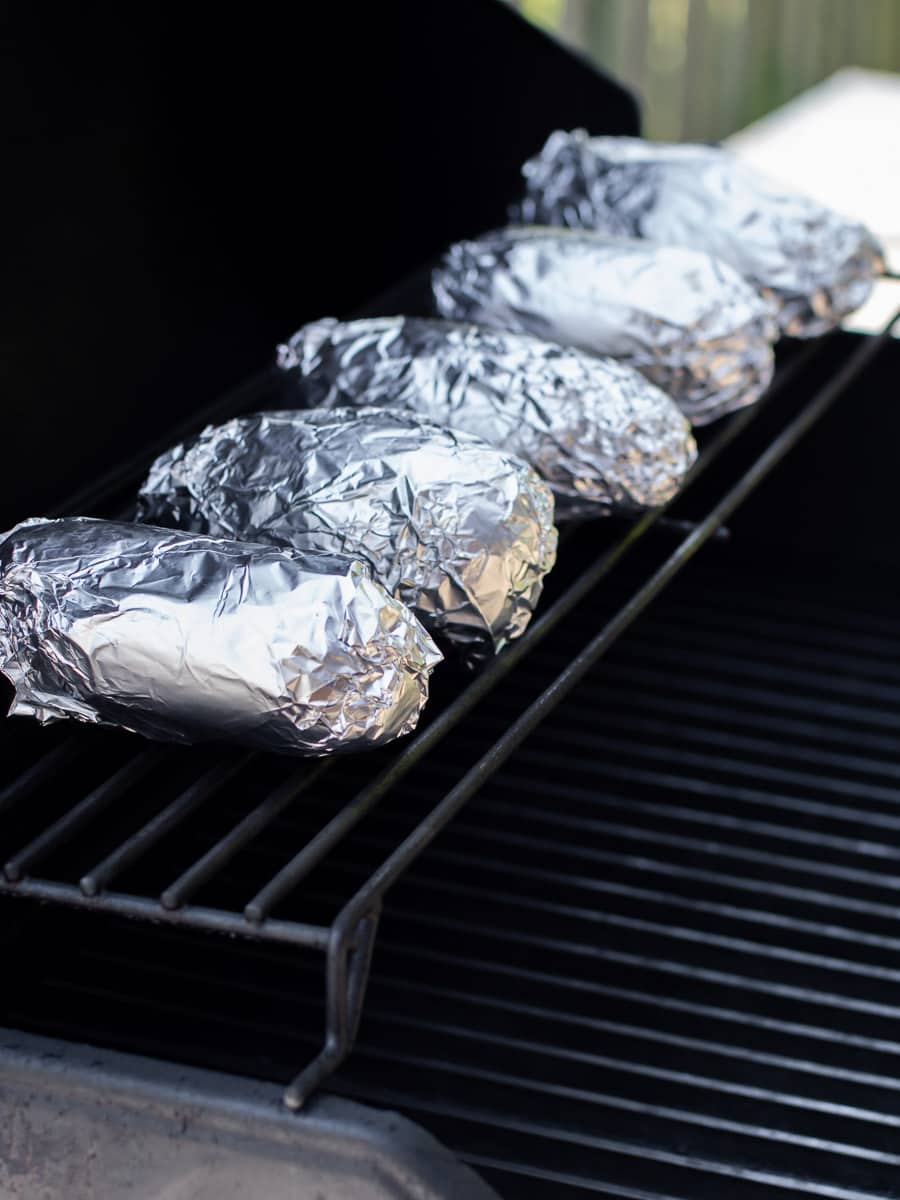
(32, 869)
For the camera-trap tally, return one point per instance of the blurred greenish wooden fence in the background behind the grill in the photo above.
(709, 68)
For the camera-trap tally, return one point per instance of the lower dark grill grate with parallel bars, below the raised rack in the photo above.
(674, 968)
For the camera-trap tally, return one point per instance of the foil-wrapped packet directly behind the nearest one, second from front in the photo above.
(459, 531)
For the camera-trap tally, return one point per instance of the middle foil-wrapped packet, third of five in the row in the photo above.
(602, 435)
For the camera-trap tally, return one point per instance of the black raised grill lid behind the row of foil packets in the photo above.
(187, 193)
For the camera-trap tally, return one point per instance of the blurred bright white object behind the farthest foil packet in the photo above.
(841, 143)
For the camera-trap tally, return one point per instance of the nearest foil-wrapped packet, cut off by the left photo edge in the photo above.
(187, 639)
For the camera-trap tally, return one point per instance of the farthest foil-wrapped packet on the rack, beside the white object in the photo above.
(818, 265)
